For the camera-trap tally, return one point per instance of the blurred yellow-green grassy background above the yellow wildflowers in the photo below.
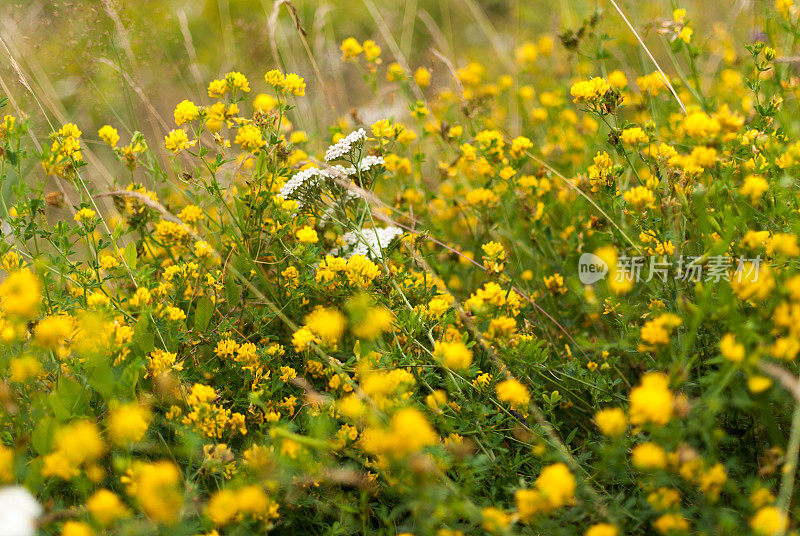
(99, 61)
